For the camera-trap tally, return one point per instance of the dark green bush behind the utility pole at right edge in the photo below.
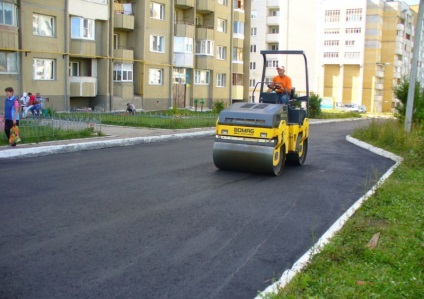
(401, 93)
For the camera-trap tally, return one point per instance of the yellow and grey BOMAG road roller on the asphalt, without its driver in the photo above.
(260, 137)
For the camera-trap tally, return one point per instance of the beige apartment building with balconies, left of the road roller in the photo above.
(103, 53)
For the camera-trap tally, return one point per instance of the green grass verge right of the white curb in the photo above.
(346, 267)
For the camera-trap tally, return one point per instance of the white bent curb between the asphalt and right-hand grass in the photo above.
(301, 263)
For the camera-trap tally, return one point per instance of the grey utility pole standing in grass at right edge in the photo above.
(413, 78)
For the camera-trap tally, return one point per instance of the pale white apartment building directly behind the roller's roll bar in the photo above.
(283, 25)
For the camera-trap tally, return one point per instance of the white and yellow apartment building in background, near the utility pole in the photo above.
(367, 48)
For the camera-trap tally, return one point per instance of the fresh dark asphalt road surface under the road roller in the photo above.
(160, 221)
